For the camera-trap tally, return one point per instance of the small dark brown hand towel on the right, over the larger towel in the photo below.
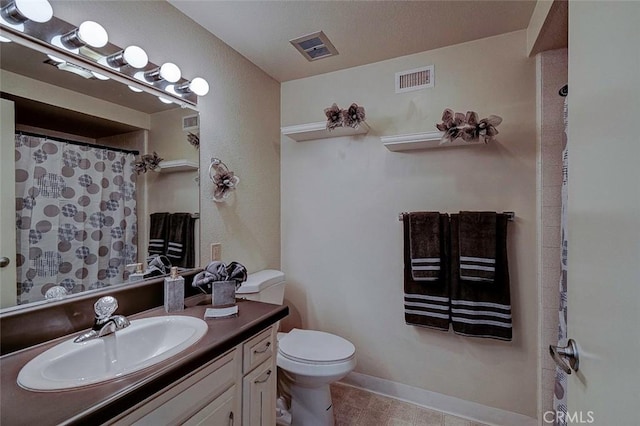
(477, 238)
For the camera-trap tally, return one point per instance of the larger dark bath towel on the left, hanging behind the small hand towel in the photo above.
(426, 303)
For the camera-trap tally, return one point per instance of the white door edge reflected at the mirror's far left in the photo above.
(7, 211)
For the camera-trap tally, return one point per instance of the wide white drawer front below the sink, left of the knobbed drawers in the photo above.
(175, 404)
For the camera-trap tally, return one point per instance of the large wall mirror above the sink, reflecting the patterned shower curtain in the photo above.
(55, 108)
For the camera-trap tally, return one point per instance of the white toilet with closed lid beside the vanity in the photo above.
(311, 359)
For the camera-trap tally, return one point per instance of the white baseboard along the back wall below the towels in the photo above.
(439, 402)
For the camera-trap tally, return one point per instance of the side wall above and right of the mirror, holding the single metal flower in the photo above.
(239, 120)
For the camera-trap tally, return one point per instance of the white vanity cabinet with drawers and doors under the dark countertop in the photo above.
(238, 387)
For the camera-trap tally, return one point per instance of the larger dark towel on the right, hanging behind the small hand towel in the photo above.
(482, 309)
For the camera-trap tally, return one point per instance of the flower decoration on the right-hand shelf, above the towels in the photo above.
(467, 127)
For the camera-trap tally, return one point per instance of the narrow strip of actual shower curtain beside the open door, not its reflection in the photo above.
(560, 389)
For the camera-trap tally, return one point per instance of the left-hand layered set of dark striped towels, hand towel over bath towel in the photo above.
(426, 289)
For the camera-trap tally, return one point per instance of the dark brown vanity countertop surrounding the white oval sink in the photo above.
(98, 403)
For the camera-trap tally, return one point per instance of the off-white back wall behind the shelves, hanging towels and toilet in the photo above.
(341, 238)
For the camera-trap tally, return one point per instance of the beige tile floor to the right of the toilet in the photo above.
(357, 407)
